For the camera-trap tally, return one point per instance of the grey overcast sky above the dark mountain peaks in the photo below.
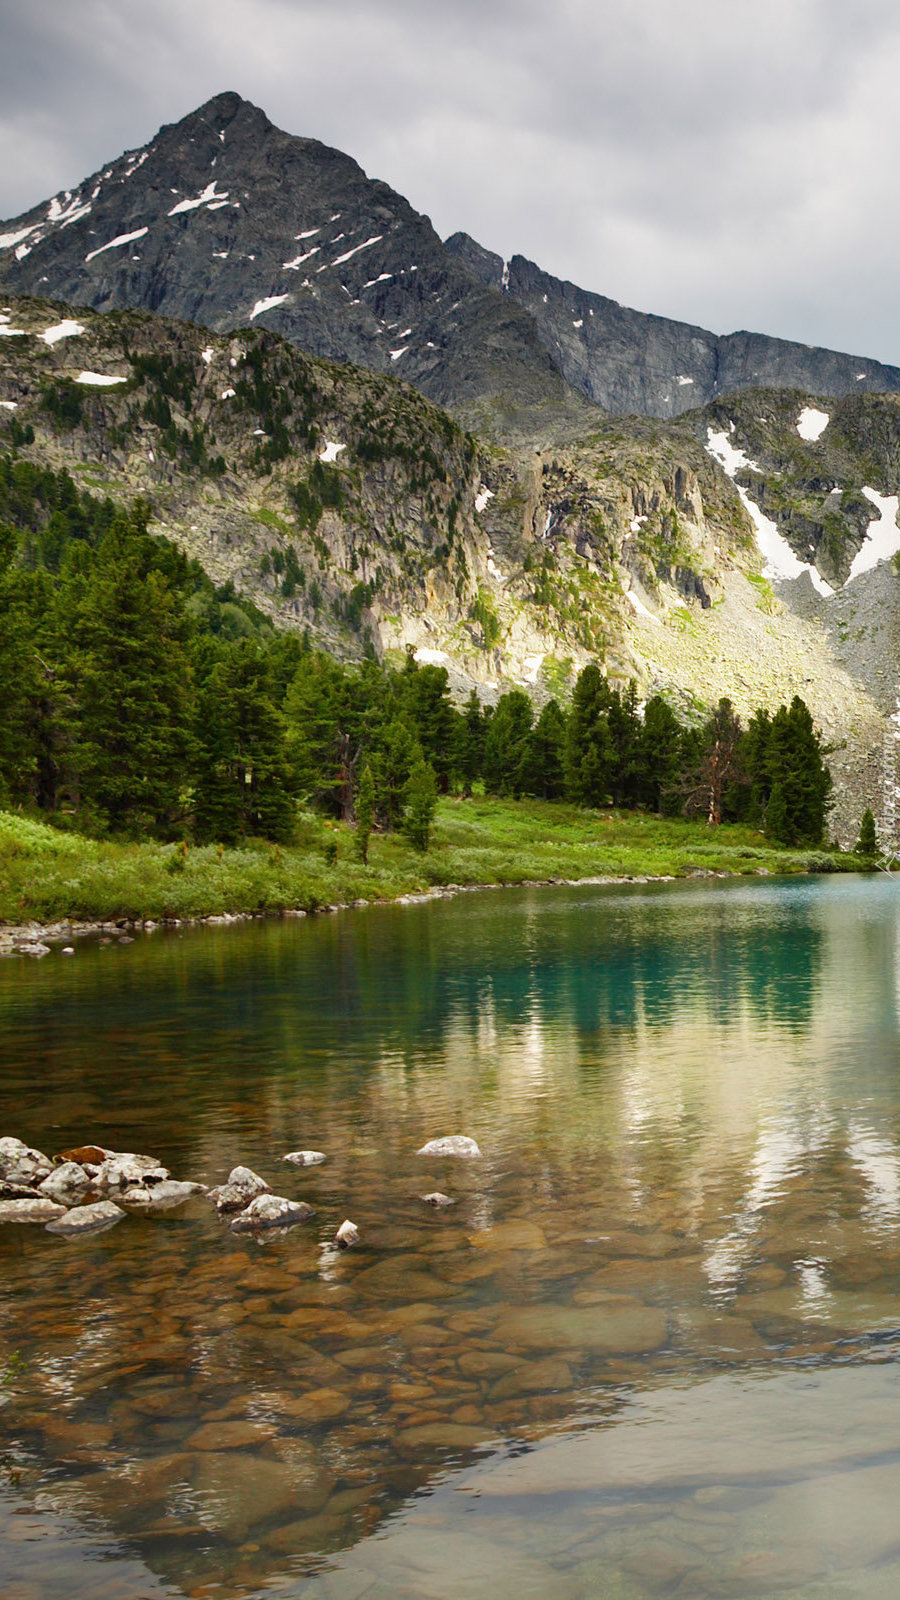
(728, 162)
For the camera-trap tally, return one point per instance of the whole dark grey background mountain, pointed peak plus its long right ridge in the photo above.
(227, 222)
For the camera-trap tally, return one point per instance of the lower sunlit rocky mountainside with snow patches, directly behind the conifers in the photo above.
(347, 505)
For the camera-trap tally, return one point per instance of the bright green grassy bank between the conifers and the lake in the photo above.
(47, 876)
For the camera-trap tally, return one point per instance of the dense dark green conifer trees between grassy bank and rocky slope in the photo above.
(139, 698)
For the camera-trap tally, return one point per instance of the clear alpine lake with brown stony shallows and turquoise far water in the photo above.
(651, 1351)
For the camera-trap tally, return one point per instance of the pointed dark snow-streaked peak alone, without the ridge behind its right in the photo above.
(227, 222)
